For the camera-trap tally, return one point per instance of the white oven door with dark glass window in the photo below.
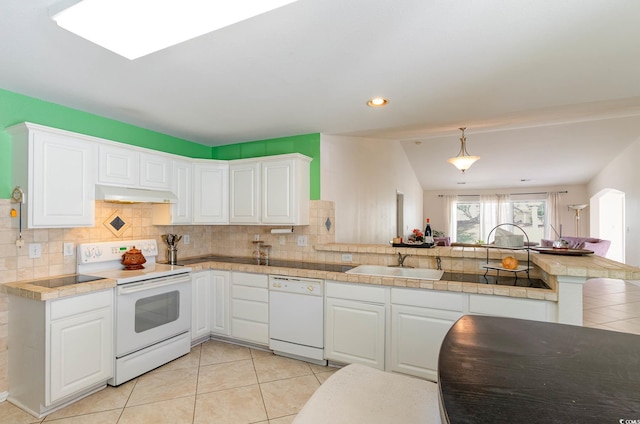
(150, 311)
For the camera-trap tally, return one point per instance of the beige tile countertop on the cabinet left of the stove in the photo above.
(31, 290)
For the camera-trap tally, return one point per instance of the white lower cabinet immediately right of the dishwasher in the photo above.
(355, 319)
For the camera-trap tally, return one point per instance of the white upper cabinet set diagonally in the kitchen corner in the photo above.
(210, 192)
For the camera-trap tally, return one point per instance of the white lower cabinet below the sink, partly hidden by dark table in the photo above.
(420, 319)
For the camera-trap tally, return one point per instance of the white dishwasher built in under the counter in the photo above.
(296, 318)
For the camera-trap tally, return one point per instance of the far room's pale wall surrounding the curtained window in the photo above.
(434, 206)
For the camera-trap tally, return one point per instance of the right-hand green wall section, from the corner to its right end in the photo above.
(307, 144)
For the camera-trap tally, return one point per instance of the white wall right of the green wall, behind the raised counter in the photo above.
(362, 175)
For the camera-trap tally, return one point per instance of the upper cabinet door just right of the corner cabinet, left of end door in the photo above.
(244, 193)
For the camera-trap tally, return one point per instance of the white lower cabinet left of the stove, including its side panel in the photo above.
(60, 350)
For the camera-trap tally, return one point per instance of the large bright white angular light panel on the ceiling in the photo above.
(135, 28)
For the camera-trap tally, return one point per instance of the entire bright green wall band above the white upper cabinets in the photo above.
(16, 108)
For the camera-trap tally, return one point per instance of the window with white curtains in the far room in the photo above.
(474, 219)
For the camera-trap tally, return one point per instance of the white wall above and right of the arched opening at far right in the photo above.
(623, 173)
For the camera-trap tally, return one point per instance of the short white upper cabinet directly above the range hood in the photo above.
(132, 167)
